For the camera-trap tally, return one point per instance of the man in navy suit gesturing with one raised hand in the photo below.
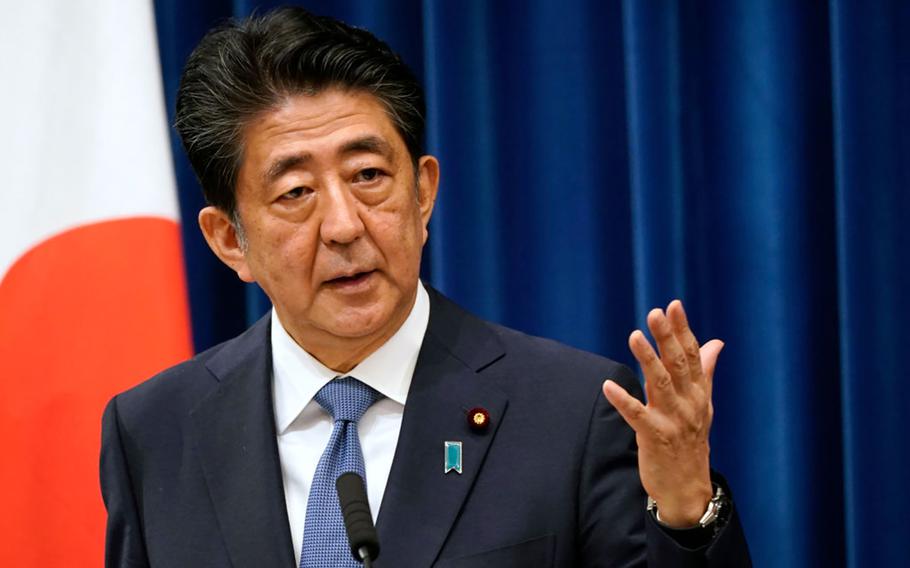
(481, 446)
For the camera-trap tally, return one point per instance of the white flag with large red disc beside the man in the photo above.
(92, 290)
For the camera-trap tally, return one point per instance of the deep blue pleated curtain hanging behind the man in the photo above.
(601, 158)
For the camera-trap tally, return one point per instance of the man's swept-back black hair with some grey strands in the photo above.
(245, 67)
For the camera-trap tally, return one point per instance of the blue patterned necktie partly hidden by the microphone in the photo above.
(325, 543)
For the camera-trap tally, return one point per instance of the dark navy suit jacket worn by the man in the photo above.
(191, 477)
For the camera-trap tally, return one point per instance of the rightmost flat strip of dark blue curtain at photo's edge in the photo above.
(871, 71)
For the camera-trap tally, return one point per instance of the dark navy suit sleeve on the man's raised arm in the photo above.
(614, 527)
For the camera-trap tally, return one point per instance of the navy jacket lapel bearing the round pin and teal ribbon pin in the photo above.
(421, 501)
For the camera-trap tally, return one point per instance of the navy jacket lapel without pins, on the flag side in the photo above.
(236, 442)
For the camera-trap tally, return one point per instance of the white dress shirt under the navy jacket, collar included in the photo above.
(304, 427)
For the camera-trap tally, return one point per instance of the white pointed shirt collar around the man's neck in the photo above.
(298, 376)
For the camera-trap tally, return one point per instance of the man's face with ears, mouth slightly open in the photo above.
(334, 217)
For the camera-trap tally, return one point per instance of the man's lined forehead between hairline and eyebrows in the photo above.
(320, 126)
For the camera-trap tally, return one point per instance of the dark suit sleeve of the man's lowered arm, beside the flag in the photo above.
(124, 543)
